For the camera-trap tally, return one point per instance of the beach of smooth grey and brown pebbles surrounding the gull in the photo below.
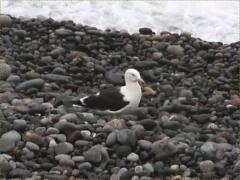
(188, 130)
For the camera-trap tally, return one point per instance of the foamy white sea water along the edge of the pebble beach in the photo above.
(208, 20)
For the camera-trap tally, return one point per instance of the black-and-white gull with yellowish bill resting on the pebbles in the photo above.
(117, 100)
